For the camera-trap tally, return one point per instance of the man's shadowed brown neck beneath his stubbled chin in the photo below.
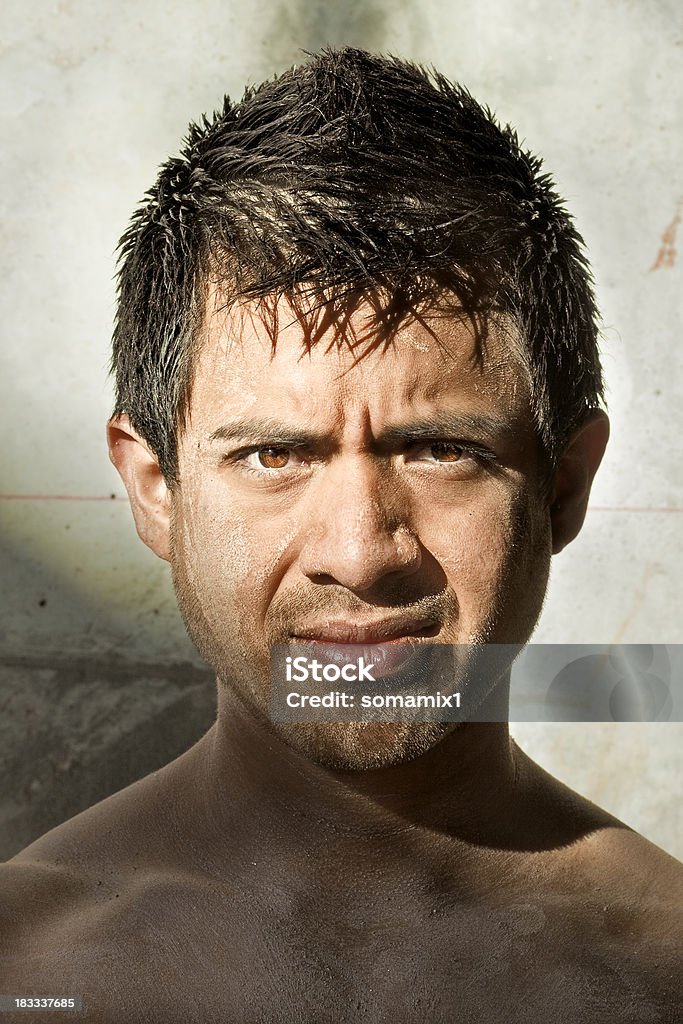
(464, 788)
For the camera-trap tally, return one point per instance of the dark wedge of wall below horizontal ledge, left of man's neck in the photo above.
(75, 733)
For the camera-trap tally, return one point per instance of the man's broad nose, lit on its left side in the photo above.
(357, 532)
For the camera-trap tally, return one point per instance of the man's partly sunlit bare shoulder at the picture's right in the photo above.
(608, 892)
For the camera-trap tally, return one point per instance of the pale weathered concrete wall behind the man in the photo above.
(99, 676)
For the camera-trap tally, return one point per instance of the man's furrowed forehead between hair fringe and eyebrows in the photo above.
(332, 363)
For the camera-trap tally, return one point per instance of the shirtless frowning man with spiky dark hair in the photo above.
(358, 406)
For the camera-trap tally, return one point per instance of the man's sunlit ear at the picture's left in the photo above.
(149, 495)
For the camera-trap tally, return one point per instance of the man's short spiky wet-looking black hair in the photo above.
(353, 174)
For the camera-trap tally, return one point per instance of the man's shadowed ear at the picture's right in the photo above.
(574, 478)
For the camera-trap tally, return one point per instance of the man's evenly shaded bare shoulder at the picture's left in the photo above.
(71, 903)
